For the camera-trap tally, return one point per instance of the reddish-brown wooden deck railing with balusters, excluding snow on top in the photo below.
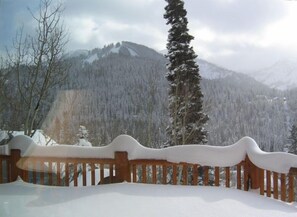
(62, 171)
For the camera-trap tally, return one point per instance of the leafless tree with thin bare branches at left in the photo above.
(37, 62)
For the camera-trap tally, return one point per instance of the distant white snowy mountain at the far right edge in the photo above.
(282, 75)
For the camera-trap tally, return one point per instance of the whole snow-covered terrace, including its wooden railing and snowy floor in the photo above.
(219, 181)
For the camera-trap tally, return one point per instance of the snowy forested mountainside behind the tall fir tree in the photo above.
(122, 89)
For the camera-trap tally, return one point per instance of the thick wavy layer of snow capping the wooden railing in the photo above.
(203, 155)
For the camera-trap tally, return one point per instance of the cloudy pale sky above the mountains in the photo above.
(242, 35)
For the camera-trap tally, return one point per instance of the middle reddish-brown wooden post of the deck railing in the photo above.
(122, 167)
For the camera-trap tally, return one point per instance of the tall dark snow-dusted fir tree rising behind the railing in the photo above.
(187, 120)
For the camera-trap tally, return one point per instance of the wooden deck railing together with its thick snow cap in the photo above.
(242, 165)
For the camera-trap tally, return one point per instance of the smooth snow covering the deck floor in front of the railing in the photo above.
(134, 200)
